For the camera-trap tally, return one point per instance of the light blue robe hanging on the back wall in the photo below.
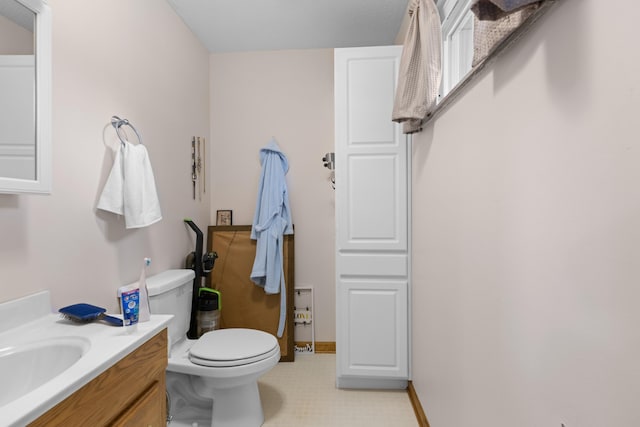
(271, 221)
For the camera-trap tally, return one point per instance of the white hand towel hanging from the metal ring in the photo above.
(130, 189)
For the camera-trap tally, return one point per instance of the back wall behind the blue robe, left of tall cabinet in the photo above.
(287, 95)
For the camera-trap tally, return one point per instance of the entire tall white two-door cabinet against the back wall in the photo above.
(372, 175)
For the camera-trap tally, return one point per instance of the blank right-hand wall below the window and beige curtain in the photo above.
(526, 196)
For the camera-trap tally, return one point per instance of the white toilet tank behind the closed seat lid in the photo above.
(170, 292)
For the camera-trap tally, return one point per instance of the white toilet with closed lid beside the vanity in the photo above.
(212, 380)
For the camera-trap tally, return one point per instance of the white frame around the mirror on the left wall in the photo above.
(42, 183)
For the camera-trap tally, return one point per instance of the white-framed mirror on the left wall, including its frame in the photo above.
(25, 104)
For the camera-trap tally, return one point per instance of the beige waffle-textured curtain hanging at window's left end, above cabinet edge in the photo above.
(420, 67)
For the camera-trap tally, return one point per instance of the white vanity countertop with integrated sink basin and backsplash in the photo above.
(45, 358)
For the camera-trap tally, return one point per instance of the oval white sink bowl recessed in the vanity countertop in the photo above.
(27, 366)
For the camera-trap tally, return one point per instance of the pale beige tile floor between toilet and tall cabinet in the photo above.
(303, 394)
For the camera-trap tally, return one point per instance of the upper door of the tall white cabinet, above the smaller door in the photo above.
(371, 179)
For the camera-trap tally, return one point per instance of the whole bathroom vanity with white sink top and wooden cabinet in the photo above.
(57, 372)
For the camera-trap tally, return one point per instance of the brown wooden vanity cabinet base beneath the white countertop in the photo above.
(130, 393)
